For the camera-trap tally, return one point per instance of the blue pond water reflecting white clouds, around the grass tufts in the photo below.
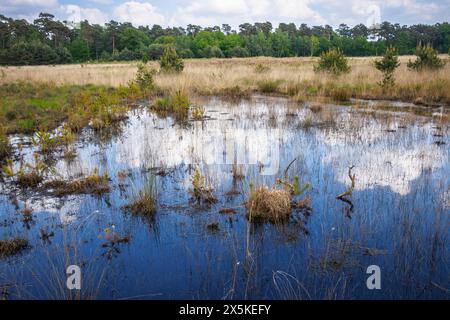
(398, 218)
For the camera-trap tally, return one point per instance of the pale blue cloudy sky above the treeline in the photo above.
(234, 12)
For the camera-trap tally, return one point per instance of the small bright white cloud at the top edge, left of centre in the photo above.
(138, 13)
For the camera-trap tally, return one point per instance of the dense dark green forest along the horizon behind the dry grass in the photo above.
(49, 41)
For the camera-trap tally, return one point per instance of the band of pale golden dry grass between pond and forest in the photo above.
(288, 76)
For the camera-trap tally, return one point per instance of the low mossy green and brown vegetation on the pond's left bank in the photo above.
(27, 107)
